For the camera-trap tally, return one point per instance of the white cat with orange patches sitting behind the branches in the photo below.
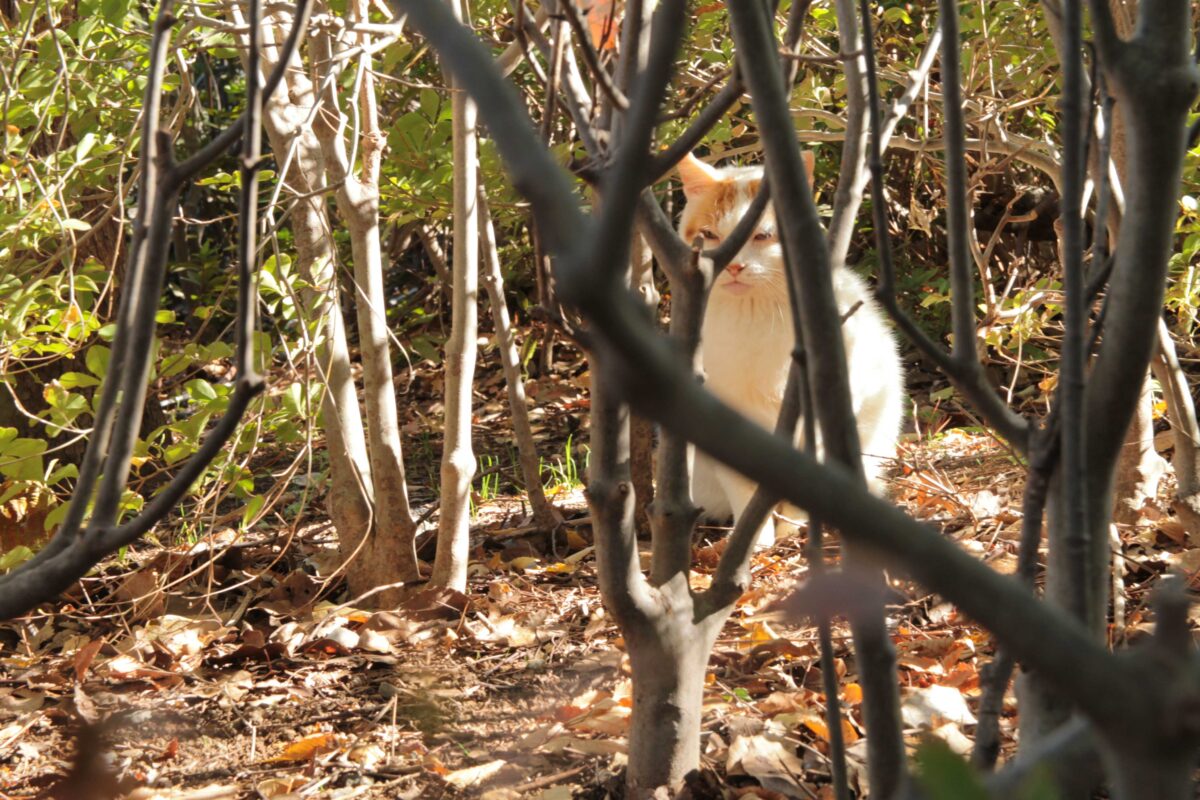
(747, 340)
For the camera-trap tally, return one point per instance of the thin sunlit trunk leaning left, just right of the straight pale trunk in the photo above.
(544, 513)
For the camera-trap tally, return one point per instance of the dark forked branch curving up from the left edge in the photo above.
(104, 473)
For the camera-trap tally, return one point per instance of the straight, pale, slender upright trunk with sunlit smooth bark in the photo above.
(458, 458)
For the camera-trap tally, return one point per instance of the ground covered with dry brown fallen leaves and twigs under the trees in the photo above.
(220, 669)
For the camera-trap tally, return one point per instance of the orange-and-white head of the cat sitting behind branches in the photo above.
(717, 201)
